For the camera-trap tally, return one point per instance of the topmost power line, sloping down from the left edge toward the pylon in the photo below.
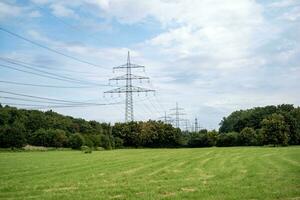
(48, 48)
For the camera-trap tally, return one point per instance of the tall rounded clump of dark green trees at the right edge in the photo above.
(275, 125)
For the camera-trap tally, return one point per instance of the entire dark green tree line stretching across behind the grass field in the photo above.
(269, 125)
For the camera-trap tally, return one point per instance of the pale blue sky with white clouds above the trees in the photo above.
(211, 56)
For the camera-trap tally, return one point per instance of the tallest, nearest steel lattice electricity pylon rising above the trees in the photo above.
(128, 88)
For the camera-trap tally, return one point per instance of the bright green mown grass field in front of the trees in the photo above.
(206, 173)
